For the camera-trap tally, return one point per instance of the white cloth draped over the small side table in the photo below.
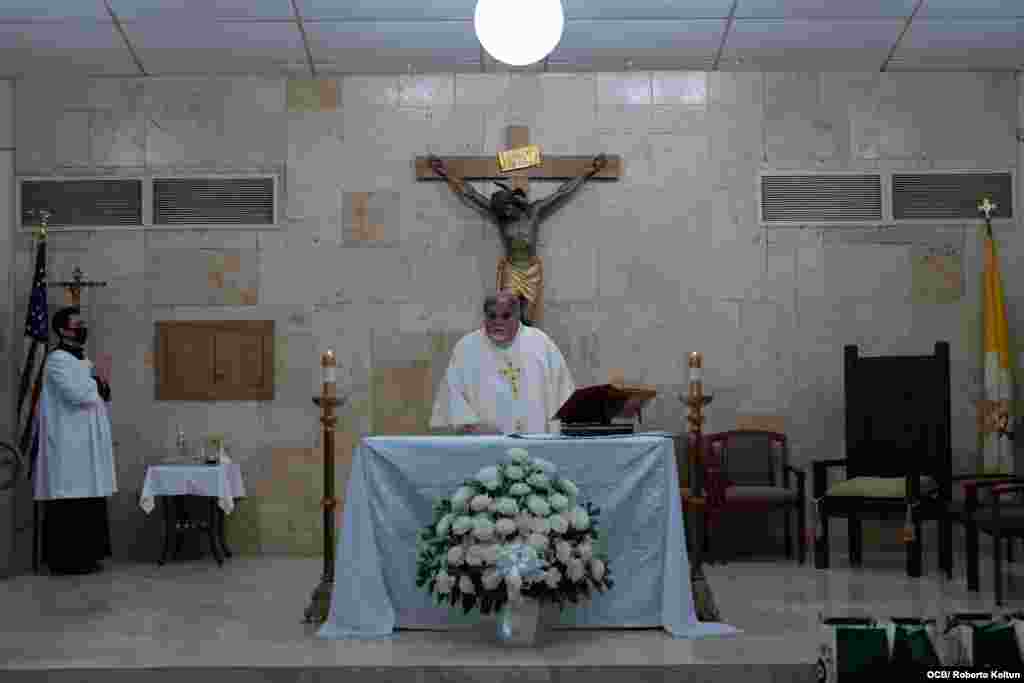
(224, 483)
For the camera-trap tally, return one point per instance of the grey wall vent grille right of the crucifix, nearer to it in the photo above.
(821, 199)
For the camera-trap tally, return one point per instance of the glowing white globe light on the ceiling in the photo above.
(519, 32)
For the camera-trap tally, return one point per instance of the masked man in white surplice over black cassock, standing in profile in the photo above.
(74, 474)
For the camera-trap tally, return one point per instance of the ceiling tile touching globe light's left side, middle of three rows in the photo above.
(443, 37)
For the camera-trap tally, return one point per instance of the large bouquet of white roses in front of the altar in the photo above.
(516, 531)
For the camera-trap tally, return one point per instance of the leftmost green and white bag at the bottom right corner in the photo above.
(854, 650)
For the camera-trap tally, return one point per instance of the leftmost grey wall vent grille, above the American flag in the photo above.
(83, 203)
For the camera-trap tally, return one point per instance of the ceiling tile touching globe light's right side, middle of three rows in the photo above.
(643, 35)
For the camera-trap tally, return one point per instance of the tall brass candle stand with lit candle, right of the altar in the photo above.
(696, 400)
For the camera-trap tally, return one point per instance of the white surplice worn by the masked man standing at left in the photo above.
(76, 454)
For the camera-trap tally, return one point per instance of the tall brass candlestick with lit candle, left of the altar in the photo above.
(320, 604)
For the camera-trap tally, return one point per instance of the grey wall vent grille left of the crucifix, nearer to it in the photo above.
(214, 201)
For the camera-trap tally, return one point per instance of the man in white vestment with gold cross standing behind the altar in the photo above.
(503, 378)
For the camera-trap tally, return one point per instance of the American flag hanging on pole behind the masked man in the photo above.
(37, 323)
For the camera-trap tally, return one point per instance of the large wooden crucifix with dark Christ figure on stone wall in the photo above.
(518, 220)
